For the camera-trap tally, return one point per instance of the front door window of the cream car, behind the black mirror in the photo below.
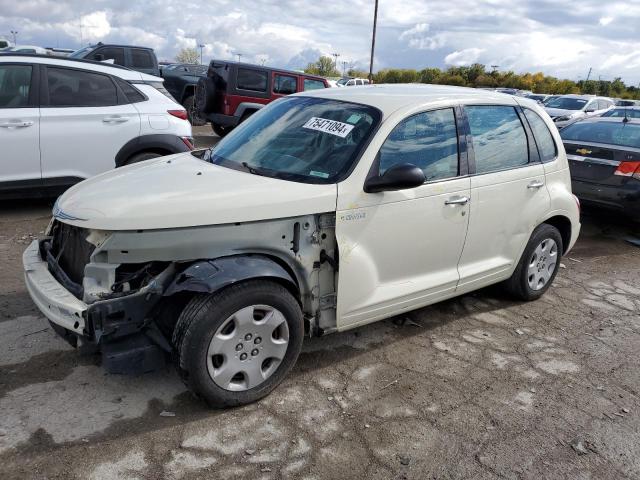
(427, 140)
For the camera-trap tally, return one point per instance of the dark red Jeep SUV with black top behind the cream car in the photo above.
(231, 92)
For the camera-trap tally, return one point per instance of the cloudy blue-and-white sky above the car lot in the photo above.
(564, 38)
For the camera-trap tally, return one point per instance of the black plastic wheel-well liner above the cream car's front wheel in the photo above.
(209, 276)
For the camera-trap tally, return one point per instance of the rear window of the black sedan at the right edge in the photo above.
(611, 133)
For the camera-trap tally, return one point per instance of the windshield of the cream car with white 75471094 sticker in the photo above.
(303, 139)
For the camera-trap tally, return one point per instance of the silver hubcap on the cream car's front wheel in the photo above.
(248, 348)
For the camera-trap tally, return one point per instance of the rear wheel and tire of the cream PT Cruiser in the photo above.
(538, 265)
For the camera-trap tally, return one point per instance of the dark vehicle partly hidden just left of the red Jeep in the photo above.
(181, 79)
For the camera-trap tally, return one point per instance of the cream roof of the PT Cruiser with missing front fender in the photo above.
(390, 97)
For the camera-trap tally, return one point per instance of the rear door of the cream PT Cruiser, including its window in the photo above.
(508, 194)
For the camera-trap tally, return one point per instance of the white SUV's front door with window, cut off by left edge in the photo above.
(19, 124)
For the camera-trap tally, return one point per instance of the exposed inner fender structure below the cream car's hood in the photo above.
(304, 248)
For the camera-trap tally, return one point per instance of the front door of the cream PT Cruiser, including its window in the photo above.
(399, 250)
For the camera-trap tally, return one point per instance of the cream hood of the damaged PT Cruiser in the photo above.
(184, 191)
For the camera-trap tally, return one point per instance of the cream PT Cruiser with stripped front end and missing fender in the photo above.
(325, 211)
